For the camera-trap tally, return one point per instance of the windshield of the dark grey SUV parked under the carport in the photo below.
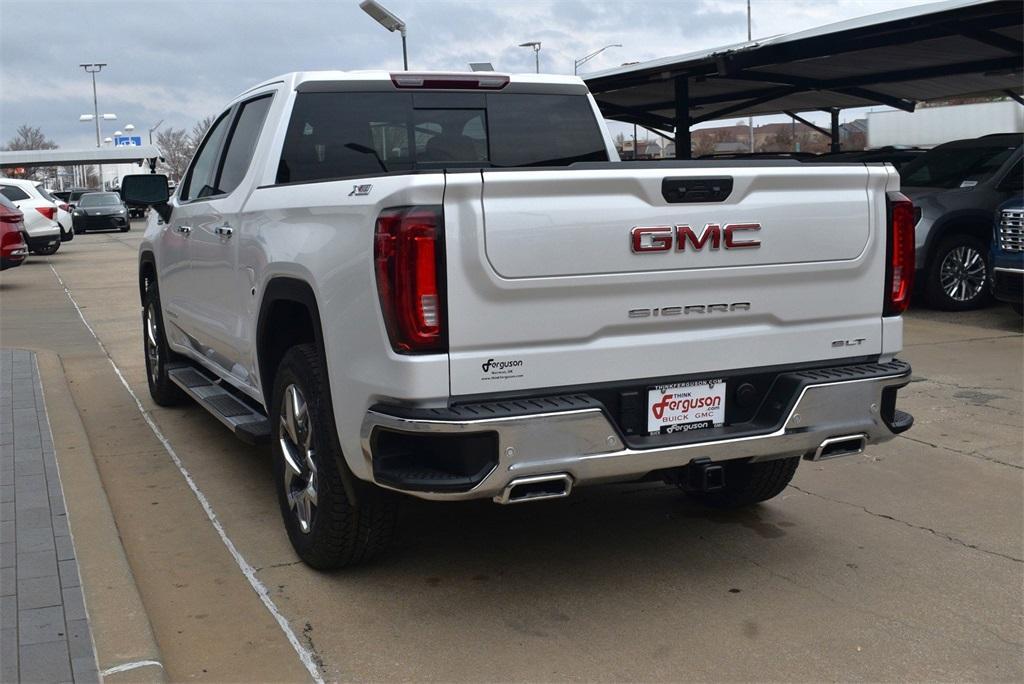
(953, 165)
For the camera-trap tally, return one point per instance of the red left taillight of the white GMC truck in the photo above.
(409, 258)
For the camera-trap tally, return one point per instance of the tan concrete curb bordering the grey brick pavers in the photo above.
(126, 648)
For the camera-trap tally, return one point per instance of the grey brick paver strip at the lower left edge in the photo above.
(46, 635)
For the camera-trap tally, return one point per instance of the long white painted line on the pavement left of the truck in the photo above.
(247, 570)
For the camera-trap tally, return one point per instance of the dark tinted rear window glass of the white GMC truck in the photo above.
(352, 135)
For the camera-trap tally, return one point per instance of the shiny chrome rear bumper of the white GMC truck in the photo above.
(585, 446)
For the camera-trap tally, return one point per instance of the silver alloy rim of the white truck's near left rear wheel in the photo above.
(295, 437)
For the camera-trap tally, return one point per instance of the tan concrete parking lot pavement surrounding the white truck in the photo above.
(905, 564)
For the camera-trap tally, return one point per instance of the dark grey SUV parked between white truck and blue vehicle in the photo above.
(956, 188)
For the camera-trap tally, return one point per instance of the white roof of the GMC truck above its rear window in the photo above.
(549, 83)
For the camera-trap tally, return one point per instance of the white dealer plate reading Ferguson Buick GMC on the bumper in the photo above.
(686, 407)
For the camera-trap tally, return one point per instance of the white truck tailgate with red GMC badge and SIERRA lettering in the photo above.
(549, 287)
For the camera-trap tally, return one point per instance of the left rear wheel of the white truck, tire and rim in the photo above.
(327, 529)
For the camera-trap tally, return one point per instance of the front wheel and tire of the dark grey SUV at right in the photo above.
(958, 278)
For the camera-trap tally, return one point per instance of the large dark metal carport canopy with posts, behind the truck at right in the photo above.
(899, 59)
